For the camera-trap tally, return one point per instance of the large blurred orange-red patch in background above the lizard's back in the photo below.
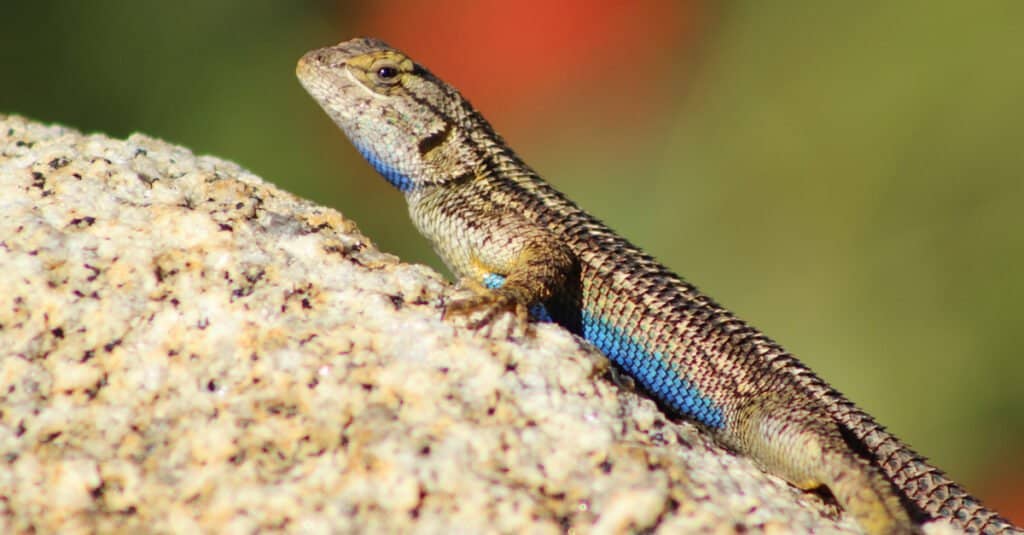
(504, 57)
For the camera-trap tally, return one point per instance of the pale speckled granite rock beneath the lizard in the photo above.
(186, 349)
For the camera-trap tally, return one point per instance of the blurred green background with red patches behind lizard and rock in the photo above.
(849, 179)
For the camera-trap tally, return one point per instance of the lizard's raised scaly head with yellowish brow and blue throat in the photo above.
(410, 126)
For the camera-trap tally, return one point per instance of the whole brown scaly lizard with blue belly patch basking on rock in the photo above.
(524, 248)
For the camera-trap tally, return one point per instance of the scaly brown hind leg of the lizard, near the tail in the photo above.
(809, 452)
